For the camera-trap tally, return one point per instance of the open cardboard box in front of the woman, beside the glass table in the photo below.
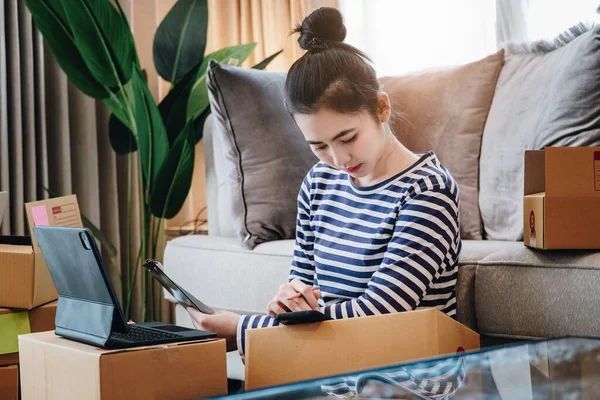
(285, 354)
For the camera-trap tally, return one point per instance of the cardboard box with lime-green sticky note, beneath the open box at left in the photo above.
(14, 323)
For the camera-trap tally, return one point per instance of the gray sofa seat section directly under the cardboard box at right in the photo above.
(536, 294)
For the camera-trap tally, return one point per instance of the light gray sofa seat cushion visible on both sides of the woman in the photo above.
(207, 264)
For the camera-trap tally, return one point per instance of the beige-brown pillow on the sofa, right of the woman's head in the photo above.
(445, 111)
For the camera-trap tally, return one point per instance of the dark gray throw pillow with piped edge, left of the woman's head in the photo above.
(266, 152)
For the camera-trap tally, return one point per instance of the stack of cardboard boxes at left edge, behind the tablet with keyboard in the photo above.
(27, 293)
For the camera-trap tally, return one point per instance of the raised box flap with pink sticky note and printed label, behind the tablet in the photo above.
(59, 211)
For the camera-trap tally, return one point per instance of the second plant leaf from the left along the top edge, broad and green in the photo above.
(103, 39)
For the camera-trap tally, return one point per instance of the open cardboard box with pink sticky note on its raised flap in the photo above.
(25, 282)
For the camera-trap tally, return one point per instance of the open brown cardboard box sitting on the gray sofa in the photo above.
(561, 206)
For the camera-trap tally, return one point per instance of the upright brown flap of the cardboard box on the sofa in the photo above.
(573, 171)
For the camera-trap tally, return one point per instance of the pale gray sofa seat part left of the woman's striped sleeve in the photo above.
(224, 275)
